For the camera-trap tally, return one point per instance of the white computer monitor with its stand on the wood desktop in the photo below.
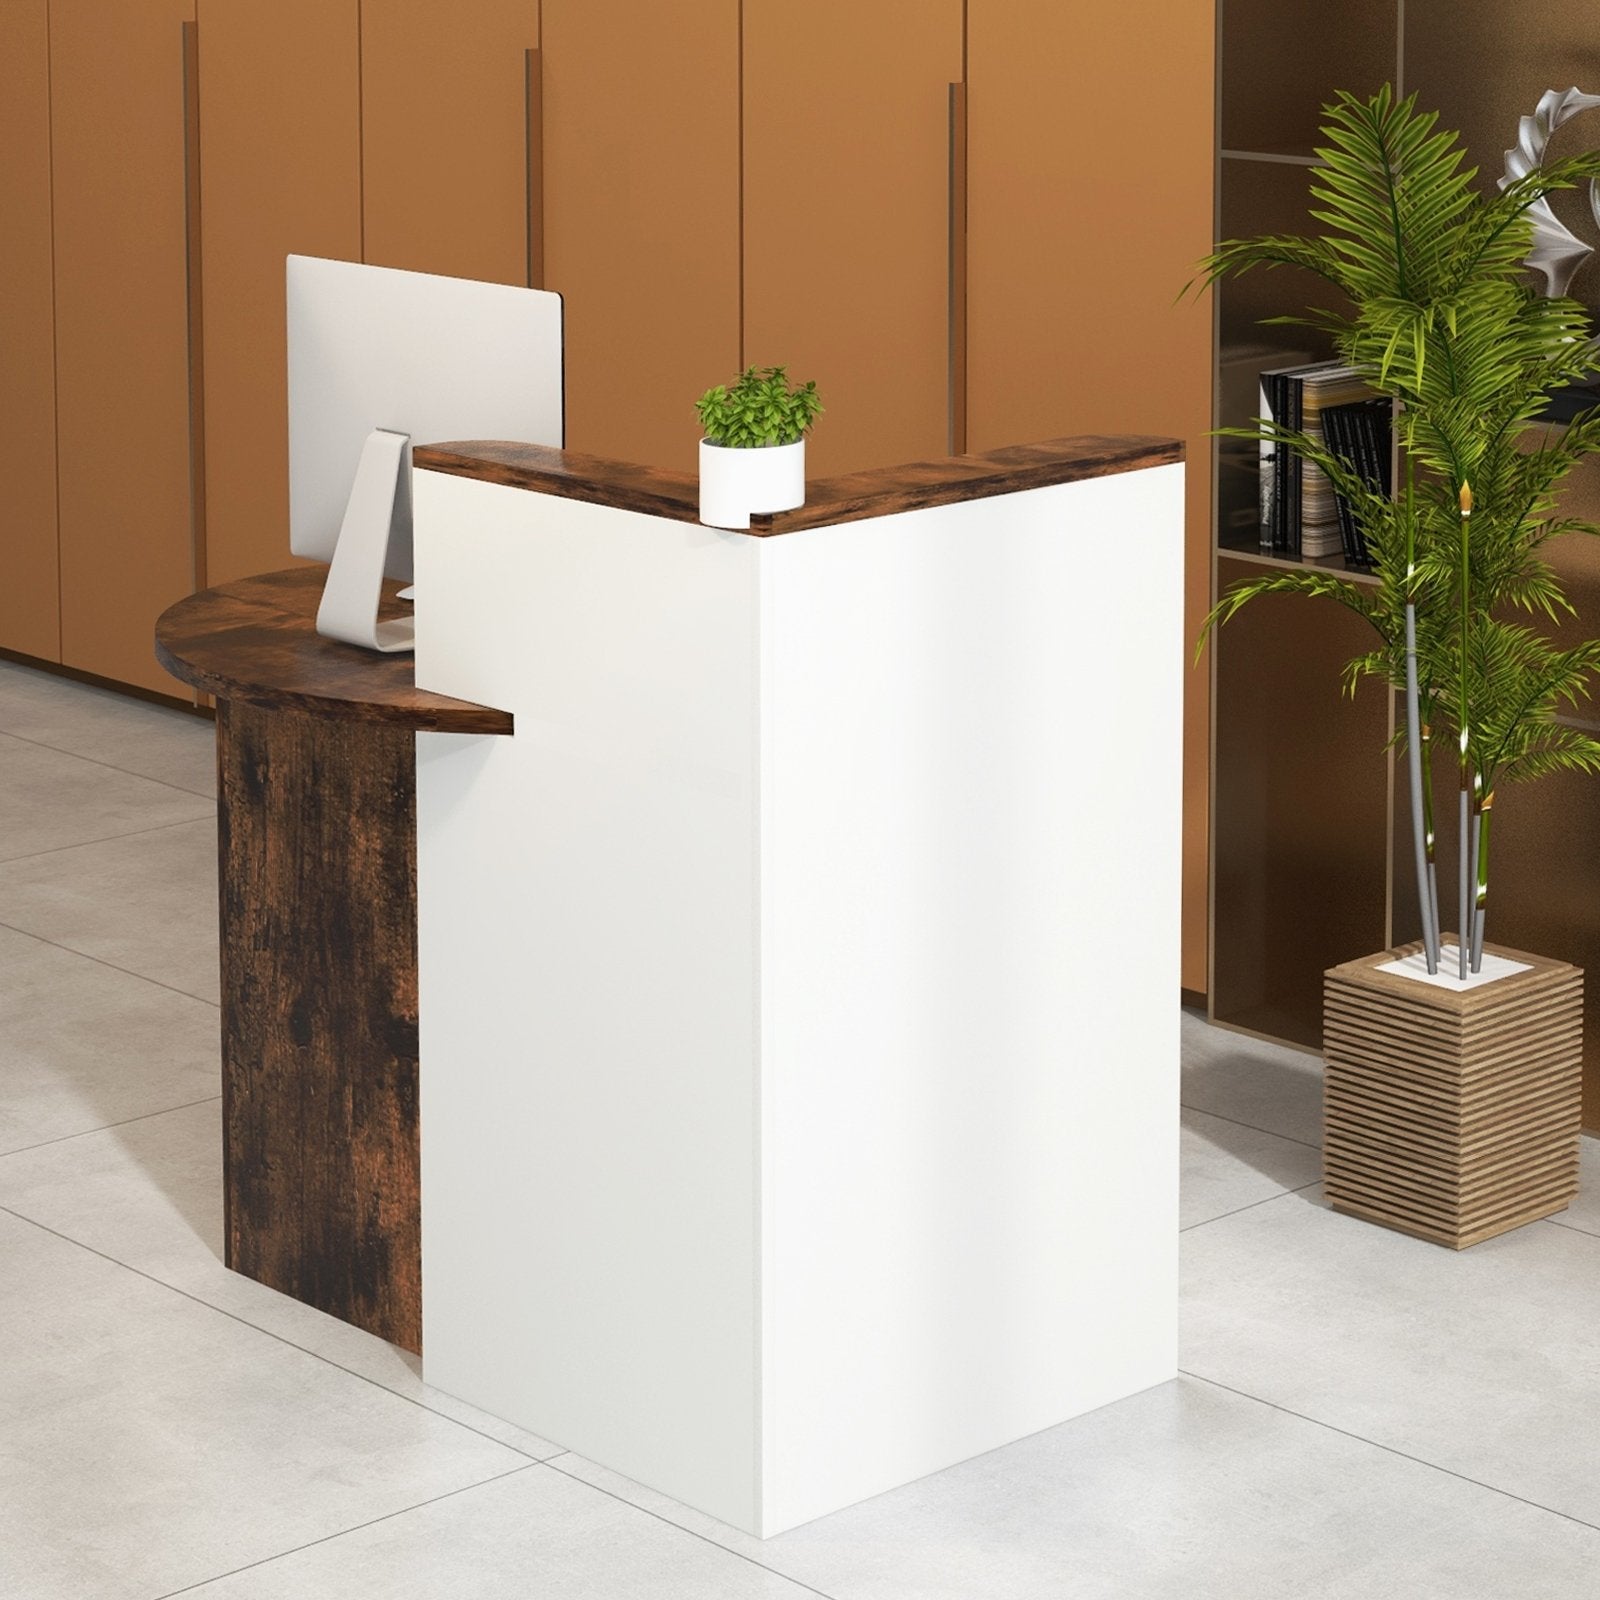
(378, 358)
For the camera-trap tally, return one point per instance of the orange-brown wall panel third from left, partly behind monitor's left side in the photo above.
(279, 175)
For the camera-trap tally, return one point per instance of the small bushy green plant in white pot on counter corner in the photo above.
(753, 446)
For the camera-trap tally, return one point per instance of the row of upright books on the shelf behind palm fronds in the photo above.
(1300, 510)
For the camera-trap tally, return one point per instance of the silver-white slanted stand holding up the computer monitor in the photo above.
(380, 506)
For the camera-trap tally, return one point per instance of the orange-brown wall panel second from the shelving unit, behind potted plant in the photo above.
(847, 228)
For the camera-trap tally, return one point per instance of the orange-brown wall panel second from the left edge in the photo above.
(122, 348)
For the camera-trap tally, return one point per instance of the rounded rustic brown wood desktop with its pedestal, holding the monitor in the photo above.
(318, 855)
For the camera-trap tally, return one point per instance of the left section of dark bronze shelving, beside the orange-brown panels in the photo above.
(1302, 785)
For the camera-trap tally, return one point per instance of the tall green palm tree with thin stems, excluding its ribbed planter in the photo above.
(1446, 322)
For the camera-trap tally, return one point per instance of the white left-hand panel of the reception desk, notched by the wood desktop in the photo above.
(588, 983)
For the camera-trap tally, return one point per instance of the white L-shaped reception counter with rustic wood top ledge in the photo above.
(799, 983)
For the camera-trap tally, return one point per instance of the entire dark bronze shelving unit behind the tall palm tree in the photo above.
(1310, 831)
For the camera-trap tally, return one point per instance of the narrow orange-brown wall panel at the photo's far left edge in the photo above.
(30, 604)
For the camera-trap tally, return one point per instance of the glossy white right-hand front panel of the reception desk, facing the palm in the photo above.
(970, 863)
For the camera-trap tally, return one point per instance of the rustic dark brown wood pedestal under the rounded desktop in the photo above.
(318, 842)
